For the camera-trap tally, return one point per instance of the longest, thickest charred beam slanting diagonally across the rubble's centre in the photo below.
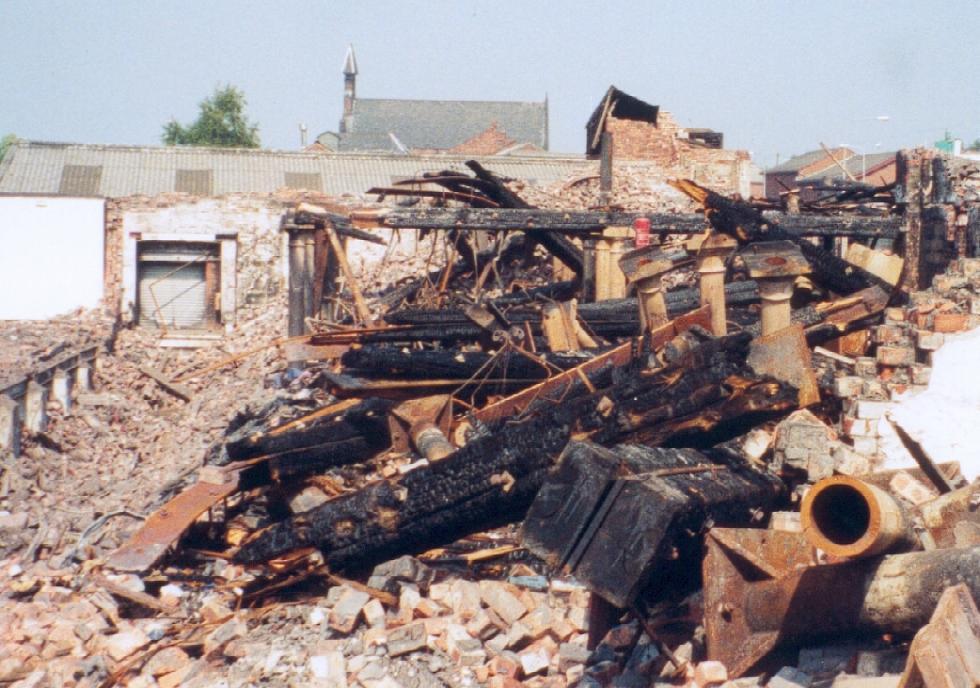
(494, 477)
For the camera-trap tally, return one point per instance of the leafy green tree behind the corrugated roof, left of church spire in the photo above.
(222, 122)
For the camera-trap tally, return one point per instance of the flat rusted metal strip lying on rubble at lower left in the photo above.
(164, 527)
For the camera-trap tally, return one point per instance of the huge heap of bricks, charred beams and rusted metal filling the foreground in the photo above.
(481, 478)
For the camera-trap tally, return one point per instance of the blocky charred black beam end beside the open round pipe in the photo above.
(618, 518)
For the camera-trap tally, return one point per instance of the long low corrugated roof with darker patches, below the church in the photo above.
(116, 171)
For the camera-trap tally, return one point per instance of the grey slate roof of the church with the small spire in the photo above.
(440, 124)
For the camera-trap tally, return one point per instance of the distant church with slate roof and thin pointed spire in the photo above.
(462, 127)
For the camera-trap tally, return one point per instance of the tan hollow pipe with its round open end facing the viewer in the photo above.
(847, 517)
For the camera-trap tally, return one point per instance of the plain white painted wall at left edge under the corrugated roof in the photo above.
(51, 255)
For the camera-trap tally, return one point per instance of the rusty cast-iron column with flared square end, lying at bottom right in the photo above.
(761, 591)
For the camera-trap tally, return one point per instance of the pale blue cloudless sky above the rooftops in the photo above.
(776, 77)
